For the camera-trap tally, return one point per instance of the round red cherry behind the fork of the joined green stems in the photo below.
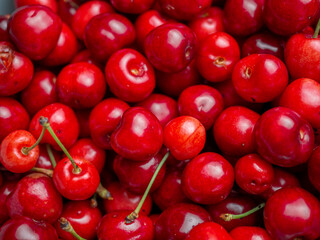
(61, 118)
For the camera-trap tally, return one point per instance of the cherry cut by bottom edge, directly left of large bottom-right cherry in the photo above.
(249, 233)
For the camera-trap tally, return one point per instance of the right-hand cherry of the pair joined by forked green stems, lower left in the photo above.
(76, 186)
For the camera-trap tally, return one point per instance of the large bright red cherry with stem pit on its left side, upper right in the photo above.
(260, 77)
